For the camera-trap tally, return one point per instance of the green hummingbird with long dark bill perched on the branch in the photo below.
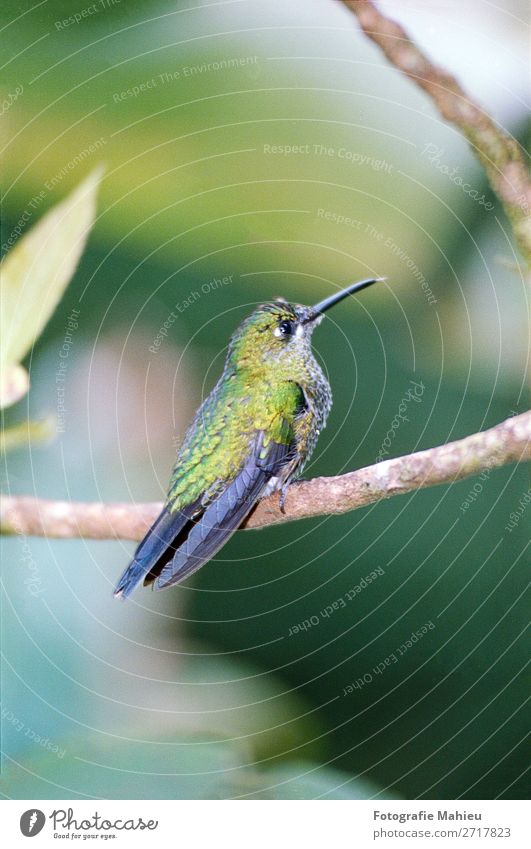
(251, 437)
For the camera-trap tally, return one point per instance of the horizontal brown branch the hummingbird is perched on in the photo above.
(508, 442)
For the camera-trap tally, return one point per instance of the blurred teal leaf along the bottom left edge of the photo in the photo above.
(170, 767)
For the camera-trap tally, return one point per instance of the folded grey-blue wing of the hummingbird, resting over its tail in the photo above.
(226, 512)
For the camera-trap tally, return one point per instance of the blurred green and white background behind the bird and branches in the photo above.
(255, 149)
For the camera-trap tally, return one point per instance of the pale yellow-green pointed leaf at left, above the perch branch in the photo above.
(34, 276)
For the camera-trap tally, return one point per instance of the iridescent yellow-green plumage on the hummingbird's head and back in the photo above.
(258, 391)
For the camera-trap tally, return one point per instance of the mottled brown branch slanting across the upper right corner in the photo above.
(497, 151)
